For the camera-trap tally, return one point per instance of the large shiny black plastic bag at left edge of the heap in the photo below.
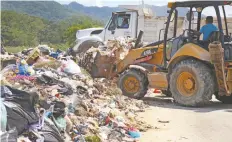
(20, 107)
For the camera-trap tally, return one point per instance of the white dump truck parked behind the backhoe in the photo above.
(126, 23)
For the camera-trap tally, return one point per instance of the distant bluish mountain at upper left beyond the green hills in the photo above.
(49, 10)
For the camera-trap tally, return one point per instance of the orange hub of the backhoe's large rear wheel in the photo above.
(186, 84)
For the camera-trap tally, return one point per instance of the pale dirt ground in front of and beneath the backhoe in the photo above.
(173, 123)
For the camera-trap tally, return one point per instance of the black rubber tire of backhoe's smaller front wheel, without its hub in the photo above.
(142, 82)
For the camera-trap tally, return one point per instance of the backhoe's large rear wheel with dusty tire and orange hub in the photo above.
(192, 83)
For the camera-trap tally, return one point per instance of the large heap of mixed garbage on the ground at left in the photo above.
(47, 97)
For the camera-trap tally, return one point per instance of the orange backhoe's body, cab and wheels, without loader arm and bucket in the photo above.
(192, 70)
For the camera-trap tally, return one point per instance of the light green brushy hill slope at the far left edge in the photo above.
(20, 29)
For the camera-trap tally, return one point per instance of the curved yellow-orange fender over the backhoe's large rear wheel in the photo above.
(190, 50)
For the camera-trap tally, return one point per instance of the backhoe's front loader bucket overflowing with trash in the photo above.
(99, 61)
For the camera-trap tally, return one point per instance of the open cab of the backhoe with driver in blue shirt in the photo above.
(199, 27)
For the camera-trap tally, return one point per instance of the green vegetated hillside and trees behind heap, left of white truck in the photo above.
(19, 29)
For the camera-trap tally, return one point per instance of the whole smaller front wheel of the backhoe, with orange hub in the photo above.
(133, 83)
